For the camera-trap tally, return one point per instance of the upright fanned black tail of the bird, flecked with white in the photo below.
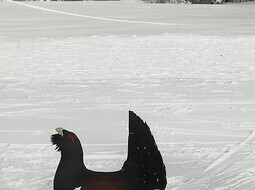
(144, 161)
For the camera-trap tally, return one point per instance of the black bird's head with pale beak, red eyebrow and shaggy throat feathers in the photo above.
(66, 142)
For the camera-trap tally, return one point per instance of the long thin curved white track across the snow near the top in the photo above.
(91, 17)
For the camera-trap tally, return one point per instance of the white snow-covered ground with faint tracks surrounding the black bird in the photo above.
(197, 92)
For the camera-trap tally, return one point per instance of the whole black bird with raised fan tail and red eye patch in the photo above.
(143, 170)
